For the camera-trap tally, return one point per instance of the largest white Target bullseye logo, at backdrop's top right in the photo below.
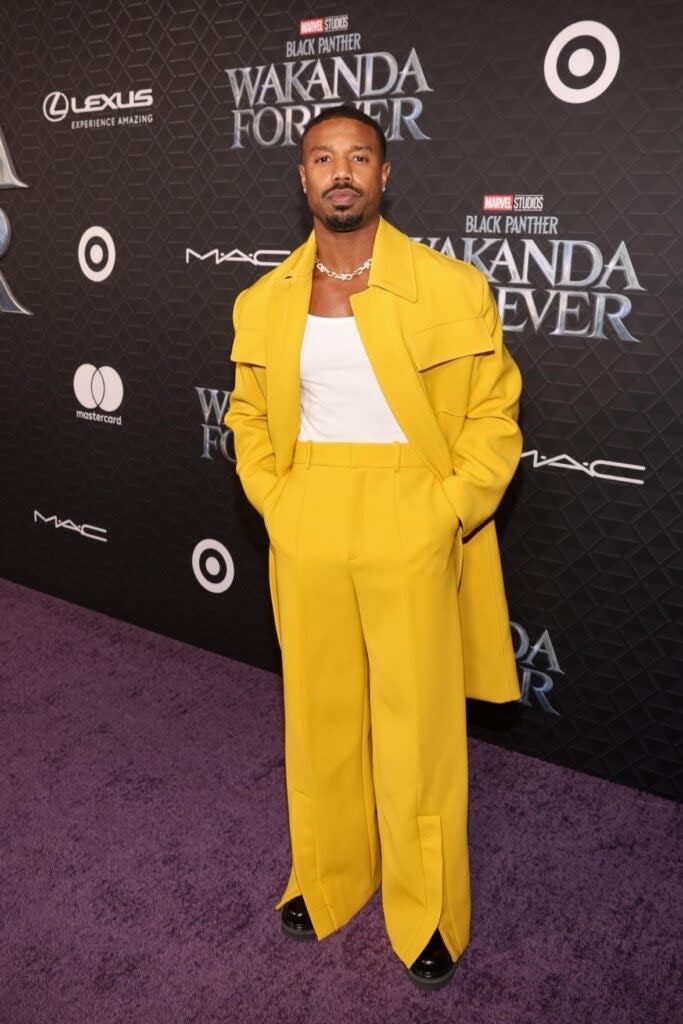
(582, 62)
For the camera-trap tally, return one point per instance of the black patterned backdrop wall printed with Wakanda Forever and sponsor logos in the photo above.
(148, 174)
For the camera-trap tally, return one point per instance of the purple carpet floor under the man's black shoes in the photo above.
(144, 844)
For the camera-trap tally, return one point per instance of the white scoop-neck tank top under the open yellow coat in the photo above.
(341, 400)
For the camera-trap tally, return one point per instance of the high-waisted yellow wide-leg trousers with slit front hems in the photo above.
(365, 563)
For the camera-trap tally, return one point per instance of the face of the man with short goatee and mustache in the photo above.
(343, 174)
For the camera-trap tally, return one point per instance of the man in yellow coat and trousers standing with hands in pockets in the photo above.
(375, 420)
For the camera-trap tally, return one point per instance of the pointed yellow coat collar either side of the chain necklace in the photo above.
(392, 269)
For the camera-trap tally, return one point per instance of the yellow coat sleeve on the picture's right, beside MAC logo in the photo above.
(488, 450)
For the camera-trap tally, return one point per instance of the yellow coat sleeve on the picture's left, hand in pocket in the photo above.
(247, 419)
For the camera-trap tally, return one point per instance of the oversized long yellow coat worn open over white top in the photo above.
(434, 336)
